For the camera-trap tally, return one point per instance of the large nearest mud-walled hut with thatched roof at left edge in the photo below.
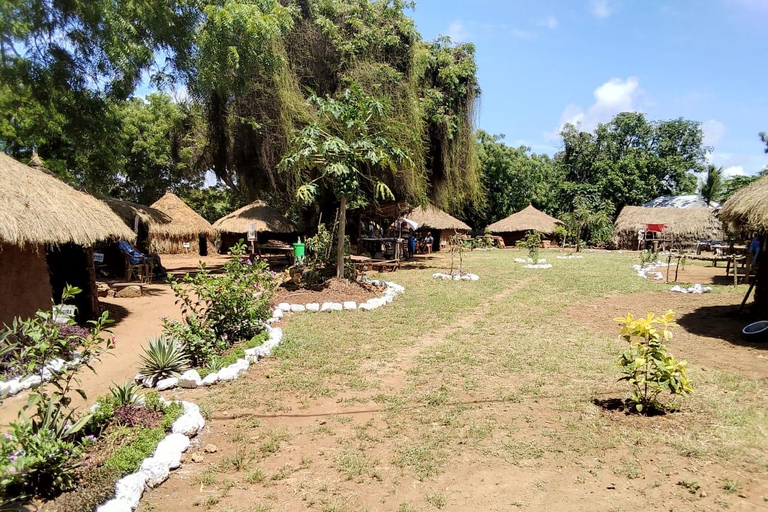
(47, 229)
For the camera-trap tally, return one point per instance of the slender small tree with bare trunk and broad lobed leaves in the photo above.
(348, 150)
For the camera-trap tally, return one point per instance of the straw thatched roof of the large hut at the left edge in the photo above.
(38, 208)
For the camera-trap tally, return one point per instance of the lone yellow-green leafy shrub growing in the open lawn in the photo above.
(647, 366)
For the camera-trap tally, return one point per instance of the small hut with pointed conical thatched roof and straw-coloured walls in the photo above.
(185, 231)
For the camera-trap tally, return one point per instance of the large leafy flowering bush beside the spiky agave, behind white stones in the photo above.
(232, 305)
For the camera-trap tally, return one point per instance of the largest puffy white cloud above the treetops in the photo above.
(614, 96)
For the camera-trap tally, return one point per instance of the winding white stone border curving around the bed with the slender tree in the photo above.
(191, 378)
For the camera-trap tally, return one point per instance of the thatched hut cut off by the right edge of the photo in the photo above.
(746, 212)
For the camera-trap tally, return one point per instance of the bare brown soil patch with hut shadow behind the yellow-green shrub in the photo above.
(709, 332)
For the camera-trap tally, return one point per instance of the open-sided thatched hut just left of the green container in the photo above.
(265, 220)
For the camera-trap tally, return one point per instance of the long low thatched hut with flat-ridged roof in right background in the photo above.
(686, 226)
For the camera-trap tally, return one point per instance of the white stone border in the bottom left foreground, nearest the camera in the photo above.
(155, 470)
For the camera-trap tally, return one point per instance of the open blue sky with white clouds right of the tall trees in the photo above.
(542, 63)
